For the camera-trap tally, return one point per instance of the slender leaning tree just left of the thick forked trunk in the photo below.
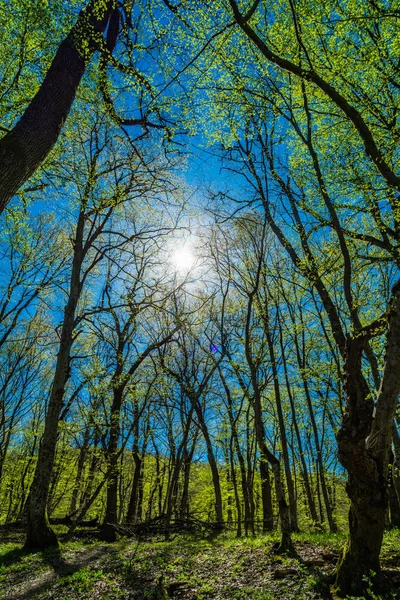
(248, 272)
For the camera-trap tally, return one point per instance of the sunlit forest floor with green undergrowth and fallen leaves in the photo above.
(184, 568)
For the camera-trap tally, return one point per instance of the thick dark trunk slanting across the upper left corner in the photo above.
(24, 148)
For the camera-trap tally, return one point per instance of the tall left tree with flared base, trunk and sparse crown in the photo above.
(111, 178)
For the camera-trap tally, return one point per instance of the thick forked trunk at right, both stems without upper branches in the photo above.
(364, 444)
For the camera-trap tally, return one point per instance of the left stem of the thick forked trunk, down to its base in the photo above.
(365, 487)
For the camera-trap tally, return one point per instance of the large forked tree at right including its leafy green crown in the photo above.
(299, 60)
